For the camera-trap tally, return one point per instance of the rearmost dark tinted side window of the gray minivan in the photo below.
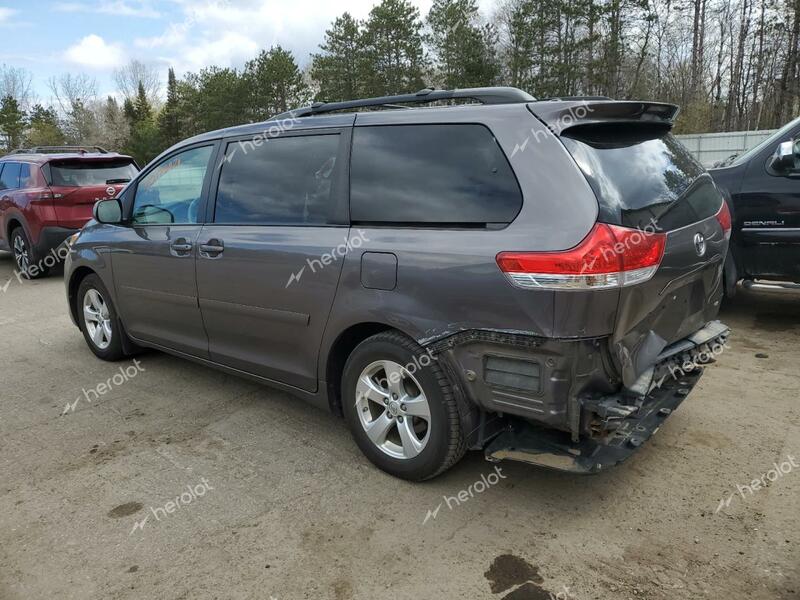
(434, 174)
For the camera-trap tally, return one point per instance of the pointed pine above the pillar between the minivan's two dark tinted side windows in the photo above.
(336, 68)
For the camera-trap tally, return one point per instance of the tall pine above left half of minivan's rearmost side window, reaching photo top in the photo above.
(393, 60)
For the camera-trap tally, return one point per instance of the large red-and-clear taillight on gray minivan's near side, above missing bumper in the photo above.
(609, 257)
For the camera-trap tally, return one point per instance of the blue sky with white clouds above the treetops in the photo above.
(93, 37)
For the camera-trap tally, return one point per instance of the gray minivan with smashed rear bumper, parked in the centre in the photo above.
(538, 280)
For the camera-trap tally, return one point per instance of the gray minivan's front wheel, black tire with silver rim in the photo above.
(103, 336)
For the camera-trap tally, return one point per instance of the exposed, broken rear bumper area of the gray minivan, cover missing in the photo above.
(581, 420)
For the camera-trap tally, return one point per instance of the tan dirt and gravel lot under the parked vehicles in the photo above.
(283, 506)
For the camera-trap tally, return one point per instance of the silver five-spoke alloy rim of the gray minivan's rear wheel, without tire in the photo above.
(393, 409)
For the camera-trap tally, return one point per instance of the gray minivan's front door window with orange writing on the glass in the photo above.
(172, 192)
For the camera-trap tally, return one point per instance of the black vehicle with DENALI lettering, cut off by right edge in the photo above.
(763, 187)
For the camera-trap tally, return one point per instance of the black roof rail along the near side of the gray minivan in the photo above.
(485, 95)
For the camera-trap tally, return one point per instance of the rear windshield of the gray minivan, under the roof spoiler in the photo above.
(642, 176)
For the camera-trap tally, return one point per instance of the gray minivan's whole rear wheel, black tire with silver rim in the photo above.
(406, 440)
